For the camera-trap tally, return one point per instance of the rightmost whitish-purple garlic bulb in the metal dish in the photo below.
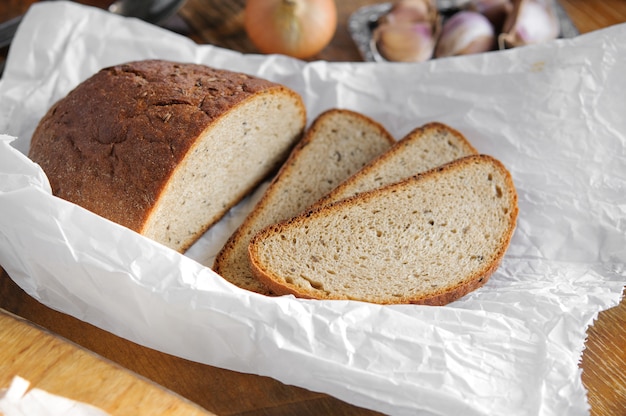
(530, 22)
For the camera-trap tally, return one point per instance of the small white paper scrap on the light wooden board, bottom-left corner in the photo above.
(18, 400)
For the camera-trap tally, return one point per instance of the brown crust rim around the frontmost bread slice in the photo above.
(442, 297)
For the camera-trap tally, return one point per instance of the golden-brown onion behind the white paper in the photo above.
(298, 28)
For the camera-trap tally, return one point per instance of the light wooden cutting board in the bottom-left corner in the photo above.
(62, 368)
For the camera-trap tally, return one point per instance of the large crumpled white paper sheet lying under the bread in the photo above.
(552, 113)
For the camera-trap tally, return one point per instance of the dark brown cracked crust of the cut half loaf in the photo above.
(113, 142)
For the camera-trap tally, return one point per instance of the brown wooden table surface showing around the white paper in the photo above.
(226, 392)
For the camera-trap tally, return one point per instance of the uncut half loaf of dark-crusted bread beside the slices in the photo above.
(166, 148)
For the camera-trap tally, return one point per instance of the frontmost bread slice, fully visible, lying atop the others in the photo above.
(429, 239)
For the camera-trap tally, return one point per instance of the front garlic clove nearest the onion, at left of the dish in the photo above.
(408, 42)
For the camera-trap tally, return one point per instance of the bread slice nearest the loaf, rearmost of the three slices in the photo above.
(338, 143)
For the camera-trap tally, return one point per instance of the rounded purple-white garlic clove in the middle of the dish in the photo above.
(465, 32)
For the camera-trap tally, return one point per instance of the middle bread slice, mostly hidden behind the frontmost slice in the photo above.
(424, 148)
